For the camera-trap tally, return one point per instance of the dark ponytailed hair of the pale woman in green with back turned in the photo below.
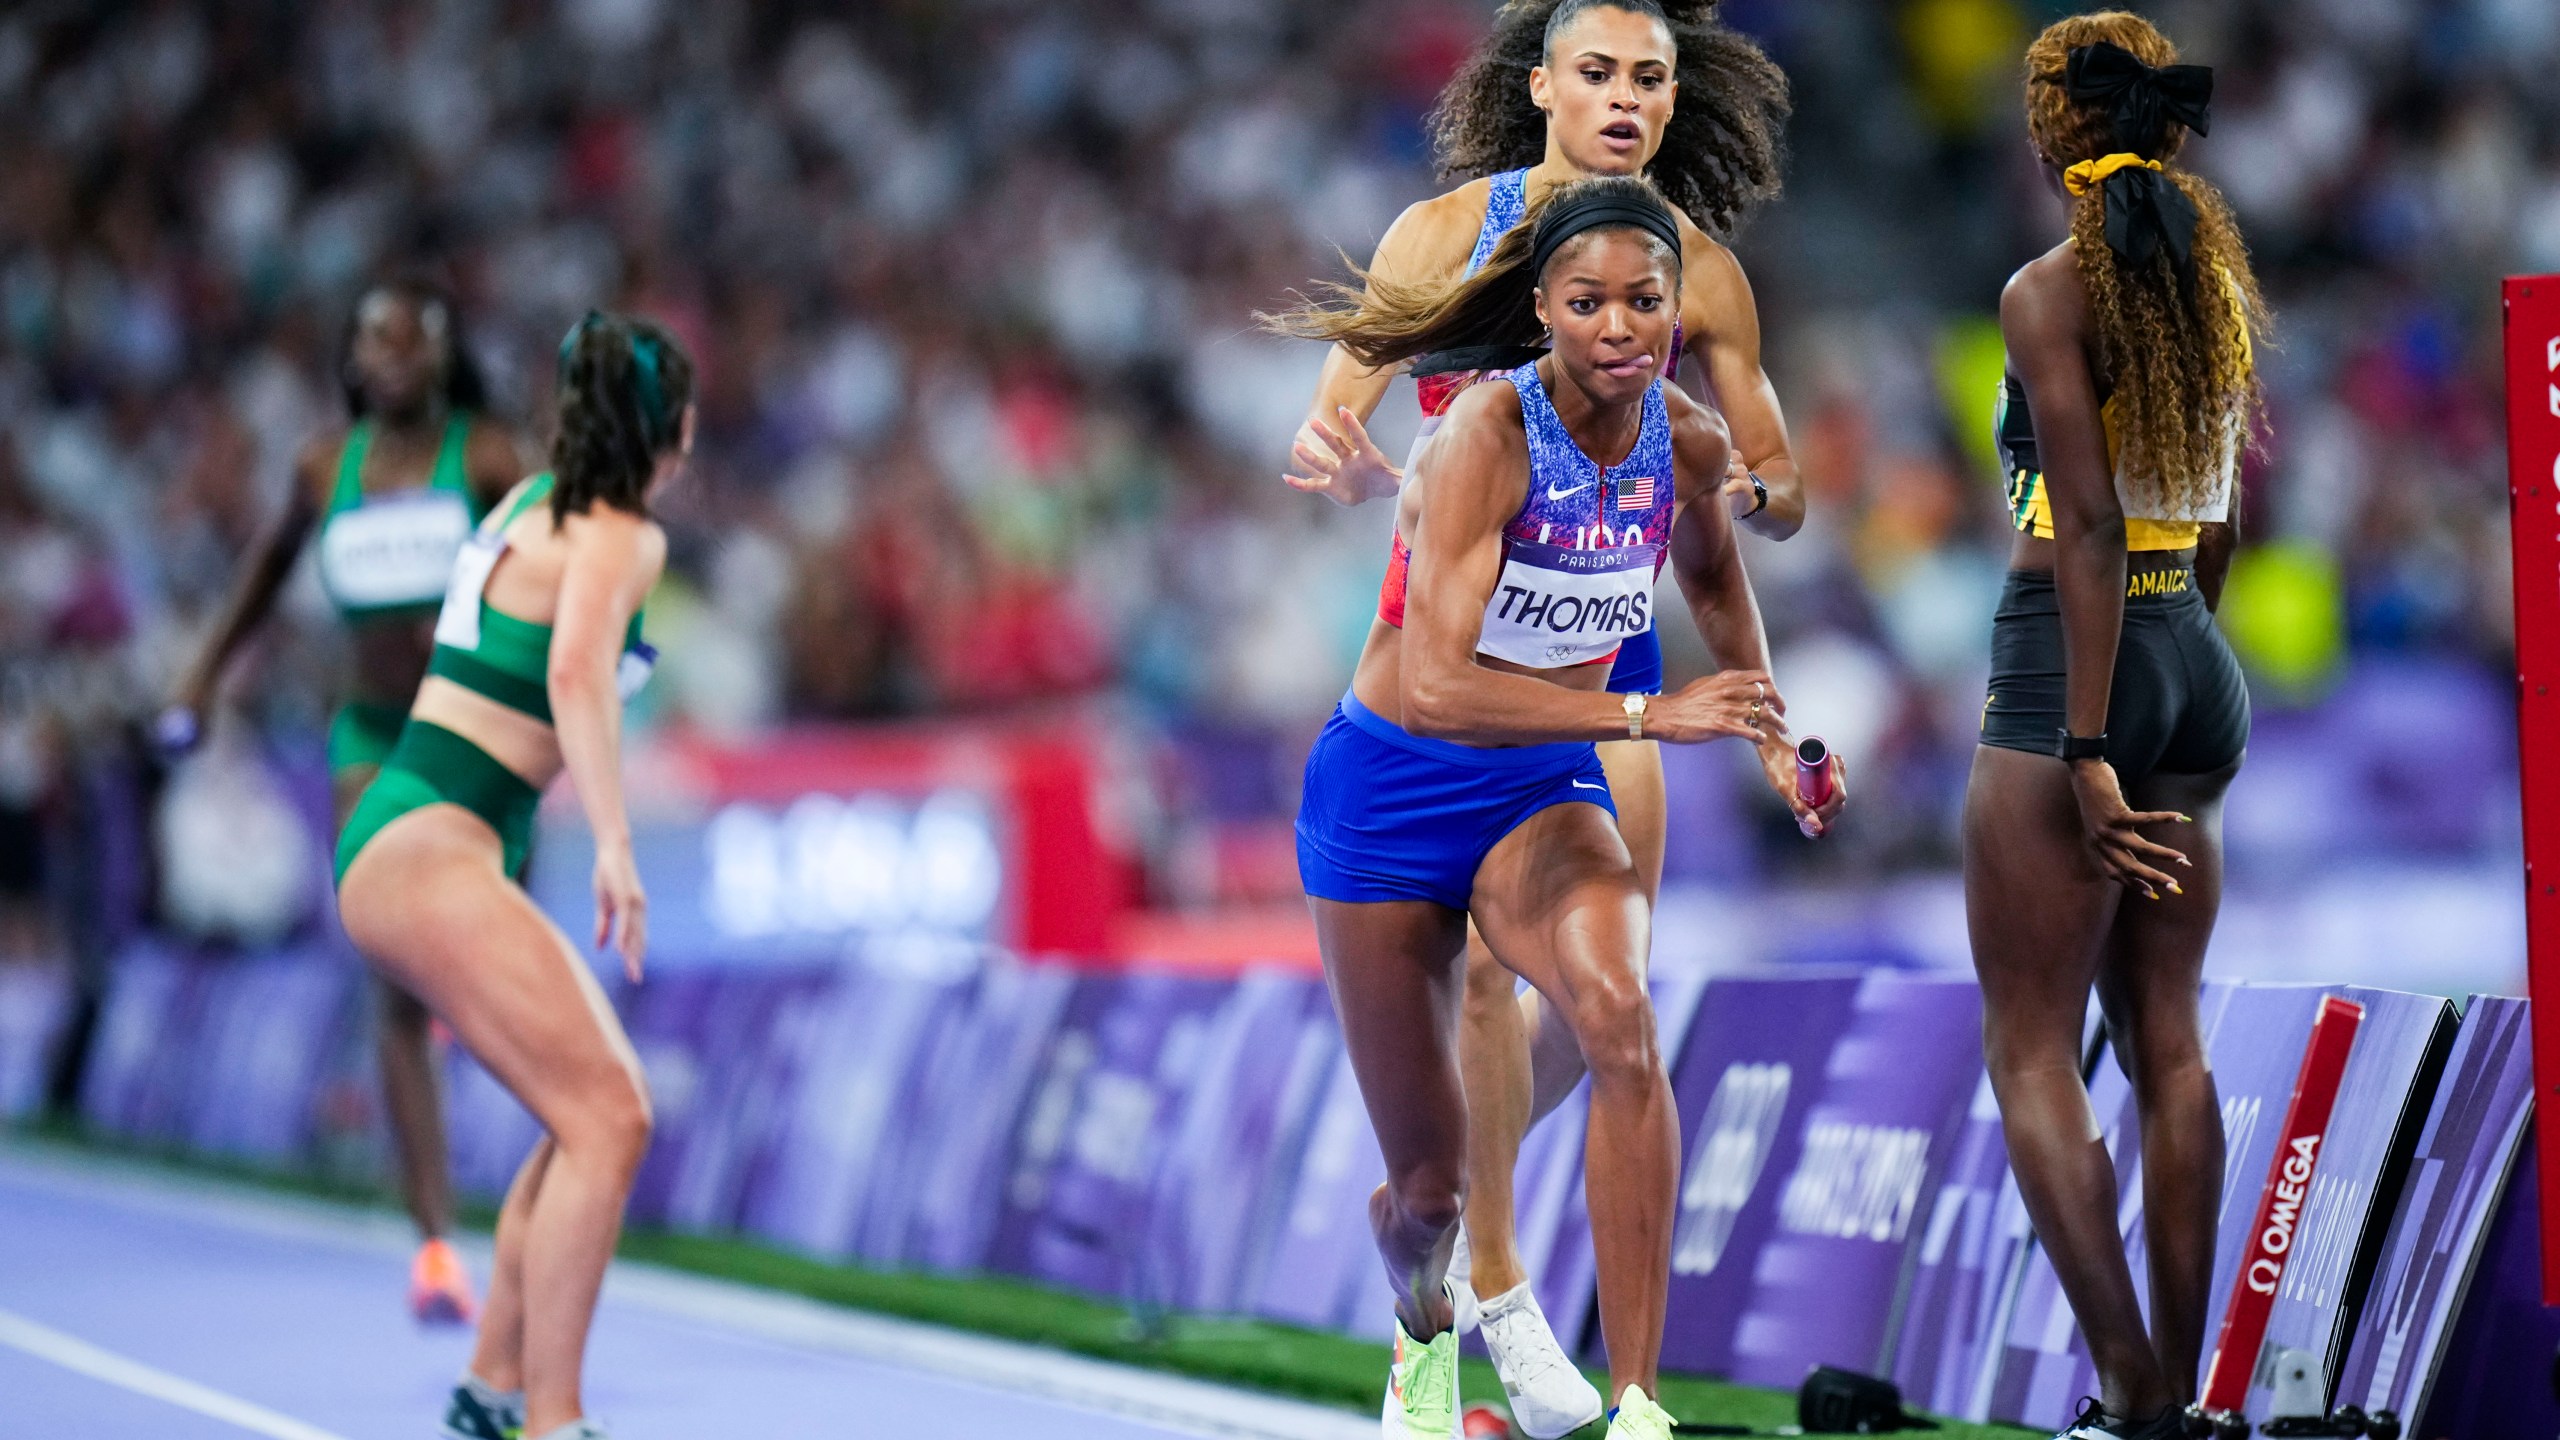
(623, 393)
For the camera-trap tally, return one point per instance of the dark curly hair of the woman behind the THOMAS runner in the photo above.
(1722, 155)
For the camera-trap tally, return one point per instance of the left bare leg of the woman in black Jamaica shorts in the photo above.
(2039, 911)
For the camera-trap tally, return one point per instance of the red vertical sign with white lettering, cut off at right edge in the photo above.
(2533, 491)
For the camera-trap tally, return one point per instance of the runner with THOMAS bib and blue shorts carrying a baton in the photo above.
(1460, 778)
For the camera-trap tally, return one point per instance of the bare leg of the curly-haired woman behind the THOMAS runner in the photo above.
(1519, 1054)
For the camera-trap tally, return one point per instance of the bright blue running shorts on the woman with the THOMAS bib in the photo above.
(1396, 816)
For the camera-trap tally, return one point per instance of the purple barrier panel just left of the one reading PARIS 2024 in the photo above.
(1745, 1085)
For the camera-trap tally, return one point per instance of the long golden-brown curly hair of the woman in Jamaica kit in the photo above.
(2175, 342)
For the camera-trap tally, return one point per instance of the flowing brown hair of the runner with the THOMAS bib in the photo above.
(1386, 324)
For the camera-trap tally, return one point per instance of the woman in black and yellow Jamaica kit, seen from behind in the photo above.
(2093, 826)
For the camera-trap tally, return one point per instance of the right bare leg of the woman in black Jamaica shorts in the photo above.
(2149, 980)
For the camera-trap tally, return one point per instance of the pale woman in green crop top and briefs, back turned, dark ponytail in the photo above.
(536, 650)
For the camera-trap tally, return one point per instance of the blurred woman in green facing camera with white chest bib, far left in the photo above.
(390, 501)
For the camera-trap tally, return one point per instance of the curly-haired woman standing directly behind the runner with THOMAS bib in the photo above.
(1560, 91)
